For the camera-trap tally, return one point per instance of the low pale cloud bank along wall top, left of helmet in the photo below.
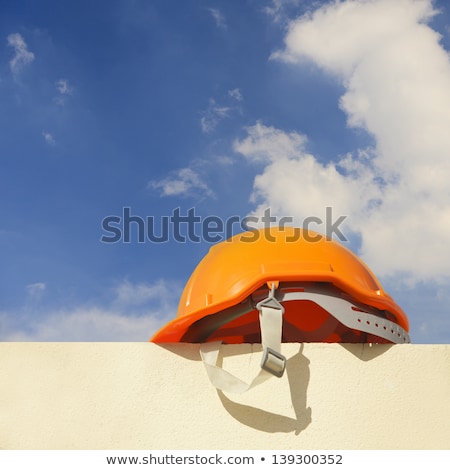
(135, 313)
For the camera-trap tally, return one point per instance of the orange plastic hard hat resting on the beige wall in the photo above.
(305, 268)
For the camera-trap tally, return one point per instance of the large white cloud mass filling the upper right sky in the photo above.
(396, 76)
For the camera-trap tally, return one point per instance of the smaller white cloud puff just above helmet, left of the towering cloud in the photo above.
(293, 183)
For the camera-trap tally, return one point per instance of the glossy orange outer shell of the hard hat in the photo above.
(236, 268)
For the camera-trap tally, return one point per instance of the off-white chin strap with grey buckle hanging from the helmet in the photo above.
(272, 363)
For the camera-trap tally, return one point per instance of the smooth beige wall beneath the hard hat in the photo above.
(145, 396)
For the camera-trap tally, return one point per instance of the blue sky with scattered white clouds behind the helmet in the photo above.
(228, 107)
